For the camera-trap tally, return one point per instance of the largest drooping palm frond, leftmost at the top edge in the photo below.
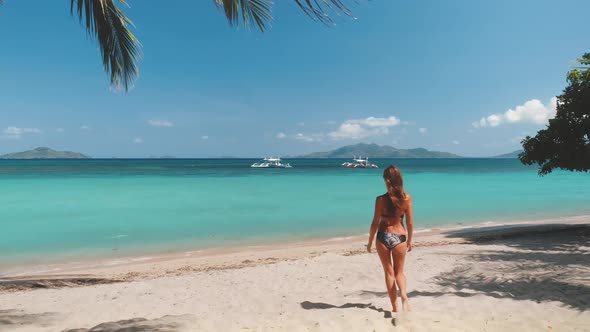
(119, 48)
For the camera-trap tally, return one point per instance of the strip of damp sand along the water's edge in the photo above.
(130, 267)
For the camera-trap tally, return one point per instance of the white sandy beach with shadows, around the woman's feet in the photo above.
(529, 278)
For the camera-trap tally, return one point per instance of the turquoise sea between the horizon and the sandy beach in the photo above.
(70, 209)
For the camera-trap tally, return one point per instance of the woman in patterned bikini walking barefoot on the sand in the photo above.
(393, 241)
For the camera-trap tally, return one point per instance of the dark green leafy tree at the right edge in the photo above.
(565, 143)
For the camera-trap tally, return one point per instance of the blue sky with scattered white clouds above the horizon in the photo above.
(468, 77)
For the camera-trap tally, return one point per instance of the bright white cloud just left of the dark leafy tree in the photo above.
(533, 111)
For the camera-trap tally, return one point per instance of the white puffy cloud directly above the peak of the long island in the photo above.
(362, 128)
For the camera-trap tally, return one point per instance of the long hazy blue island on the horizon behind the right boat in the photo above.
(379, 151)
